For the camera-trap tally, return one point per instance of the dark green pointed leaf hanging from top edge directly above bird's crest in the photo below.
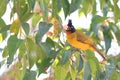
(66, 7)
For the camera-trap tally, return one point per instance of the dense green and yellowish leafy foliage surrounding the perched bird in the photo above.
(44, 47)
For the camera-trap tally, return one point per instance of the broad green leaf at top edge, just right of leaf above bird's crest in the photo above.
(75, 4)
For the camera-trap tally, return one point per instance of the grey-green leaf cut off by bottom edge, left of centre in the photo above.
(30, 75)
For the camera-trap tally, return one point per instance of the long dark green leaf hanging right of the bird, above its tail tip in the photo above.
(107, 37)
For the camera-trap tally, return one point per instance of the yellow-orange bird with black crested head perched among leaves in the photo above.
(79, 40)
